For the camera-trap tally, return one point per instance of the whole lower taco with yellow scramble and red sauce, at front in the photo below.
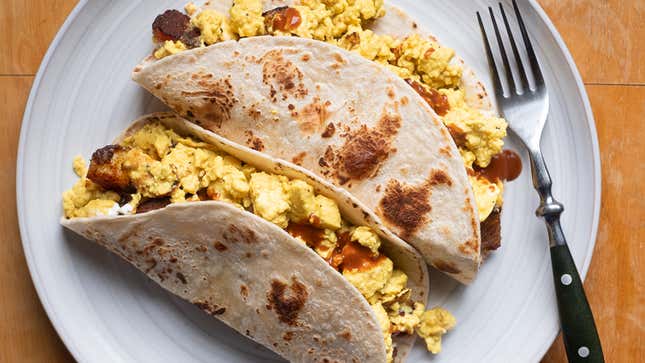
(268, 248)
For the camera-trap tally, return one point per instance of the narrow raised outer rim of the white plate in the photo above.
(70, 342)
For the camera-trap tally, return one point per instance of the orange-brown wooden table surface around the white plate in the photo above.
(607, 39)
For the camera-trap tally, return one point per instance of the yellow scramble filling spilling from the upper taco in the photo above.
(424, 63)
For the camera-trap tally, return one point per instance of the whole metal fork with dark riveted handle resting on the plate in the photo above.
(526, 111)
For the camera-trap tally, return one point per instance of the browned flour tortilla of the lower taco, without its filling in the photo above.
(251, 274)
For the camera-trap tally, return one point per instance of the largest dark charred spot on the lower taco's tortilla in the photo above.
(287, 301)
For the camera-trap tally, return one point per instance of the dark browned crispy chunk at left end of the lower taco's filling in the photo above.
(106, 169)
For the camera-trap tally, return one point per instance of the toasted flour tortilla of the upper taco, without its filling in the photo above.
(386, 146)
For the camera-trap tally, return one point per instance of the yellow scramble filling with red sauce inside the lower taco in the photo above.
(155, 167)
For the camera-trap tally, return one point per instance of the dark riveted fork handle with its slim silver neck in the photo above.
(579, 332)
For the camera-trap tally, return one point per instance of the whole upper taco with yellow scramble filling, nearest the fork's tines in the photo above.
(393, 119)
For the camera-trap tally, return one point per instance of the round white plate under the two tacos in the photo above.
(105, 311)
